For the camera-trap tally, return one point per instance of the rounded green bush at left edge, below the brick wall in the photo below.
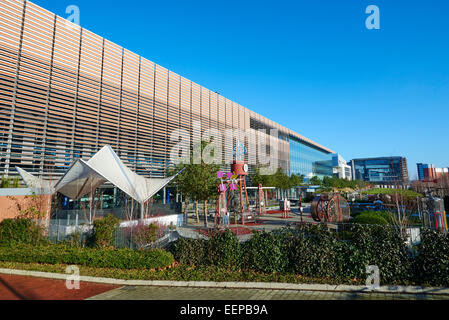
(16, 231)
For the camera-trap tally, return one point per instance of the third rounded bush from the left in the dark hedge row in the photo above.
(263, 252)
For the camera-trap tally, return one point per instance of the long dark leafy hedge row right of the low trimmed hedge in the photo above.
(309, 250)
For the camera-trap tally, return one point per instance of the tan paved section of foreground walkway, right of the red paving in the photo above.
(185, 293)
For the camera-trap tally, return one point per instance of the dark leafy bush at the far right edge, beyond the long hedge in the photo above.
(432, 263)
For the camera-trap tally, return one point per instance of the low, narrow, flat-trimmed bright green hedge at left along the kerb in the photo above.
(92, 257)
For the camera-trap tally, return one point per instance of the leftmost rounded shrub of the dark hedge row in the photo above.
(189, 251)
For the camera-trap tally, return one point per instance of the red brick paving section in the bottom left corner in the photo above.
(13, 287)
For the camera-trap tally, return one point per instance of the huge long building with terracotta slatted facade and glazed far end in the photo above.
(65, 92)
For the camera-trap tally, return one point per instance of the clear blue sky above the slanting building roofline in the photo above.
(309, 65)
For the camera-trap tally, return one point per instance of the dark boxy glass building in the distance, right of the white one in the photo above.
(381, 171)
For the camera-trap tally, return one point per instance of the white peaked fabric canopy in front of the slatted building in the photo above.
(83, 177)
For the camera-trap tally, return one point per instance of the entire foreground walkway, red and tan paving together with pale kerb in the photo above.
(33, 285)
